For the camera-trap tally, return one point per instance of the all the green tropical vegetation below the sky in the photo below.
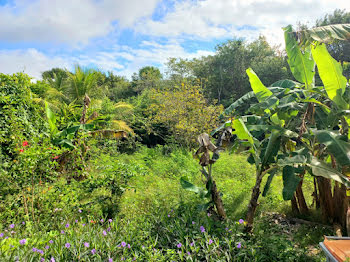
(239, 156)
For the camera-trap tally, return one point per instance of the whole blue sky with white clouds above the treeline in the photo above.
(125, 35)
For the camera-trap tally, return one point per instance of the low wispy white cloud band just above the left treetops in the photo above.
(33, 62)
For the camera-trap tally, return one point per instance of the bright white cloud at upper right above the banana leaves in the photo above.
(222, 18)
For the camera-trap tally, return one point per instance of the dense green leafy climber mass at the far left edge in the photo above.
(20, 118)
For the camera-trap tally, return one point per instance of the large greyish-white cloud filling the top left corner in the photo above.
(68, 21)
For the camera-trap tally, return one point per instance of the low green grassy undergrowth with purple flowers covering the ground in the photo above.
(149, 217)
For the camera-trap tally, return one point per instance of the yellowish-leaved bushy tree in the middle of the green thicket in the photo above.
(185, 112)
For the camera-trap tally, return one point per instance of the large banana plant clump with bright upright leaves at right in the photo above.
(293, 127)
